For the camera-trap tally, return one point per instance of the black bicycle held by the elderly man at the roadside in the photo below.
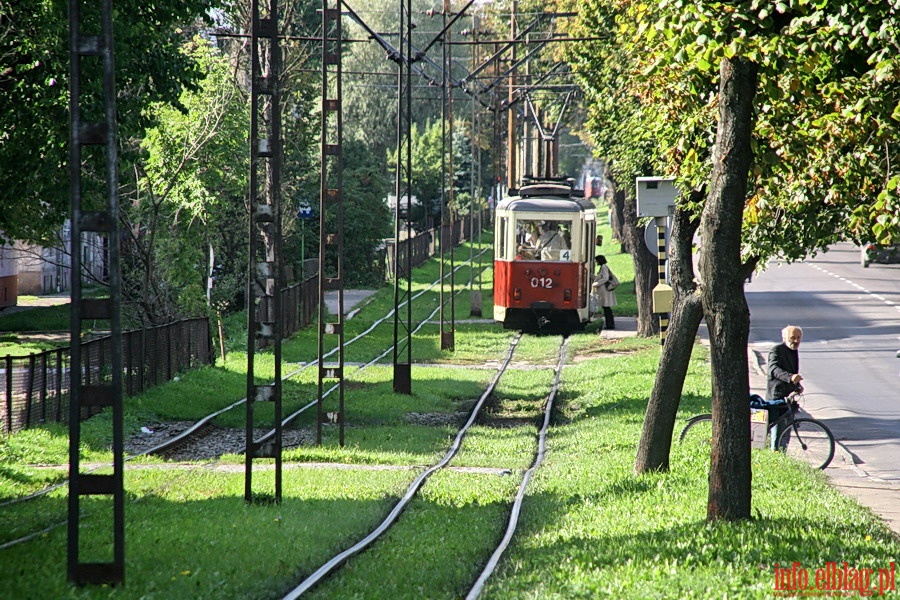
(803, 438)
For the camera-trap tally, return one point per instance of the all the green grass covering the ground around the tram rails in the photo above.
(590, 527)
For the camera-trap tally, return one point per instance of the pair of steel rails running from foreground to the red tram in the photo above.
(333, 564)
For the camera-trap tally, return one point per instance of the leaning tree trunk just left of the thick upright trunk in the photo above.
(687, 311)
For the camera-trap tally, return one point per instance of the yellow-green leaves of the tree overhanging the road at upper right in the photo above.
(828, 108)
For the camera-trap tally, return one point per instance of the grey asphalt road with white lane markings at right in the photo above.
(851, 333)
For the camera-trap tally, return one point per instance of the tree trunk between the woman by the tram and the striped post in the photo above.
(646, 273)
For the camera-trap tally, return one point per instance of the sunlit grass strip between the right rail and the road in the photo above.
(594, 529)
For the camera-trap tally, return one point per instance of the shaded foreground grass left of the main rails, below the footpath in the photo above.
(179, 546)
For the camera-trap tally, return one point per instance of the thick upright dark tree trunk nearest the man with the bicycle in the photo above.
(724, 305)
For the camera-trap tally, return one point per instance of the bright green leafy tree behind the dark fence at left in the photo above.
(190, 200)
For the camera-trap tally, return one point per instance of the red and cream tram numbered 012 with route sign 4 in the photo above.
(544, 242)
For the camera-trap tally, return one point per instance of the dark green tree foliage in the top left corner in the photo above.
(34, 82)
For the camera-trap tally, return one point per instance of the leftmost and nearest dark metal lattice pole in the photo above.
(94, 141)
